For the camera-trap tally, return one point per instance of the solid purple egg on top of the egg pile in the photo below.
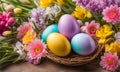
(68, 26)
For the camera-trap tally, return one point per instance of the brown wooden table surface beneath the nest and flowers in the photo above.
(49, 66)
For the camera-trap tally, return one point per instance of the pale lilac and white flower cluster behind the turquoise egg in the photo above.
(42, 17)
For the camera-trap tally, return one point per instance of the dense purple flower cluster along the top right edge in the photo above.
(97, 5)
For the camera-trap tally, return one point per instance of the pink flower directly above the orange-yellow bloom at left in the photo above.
(23, 29)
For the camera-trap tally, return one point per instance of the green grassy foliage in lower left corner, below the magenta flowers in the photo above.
(7, 54)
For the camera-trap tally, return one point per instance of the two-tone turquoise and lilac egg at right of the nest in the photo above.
(83, 44)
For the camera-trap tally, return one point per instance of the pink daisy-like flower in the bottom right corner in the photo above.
(109, 61)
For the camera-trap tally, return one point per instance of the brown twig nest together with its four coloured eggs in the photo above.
(67, 45)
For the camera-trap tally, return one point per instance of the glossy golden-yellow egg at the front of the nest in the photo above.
(58, 44)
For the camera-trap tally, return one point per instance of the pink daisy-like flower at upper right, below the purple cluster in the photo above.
(112, 14)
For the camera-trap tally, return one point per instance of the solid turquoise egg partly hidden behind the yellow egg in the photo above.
(48, 30)
